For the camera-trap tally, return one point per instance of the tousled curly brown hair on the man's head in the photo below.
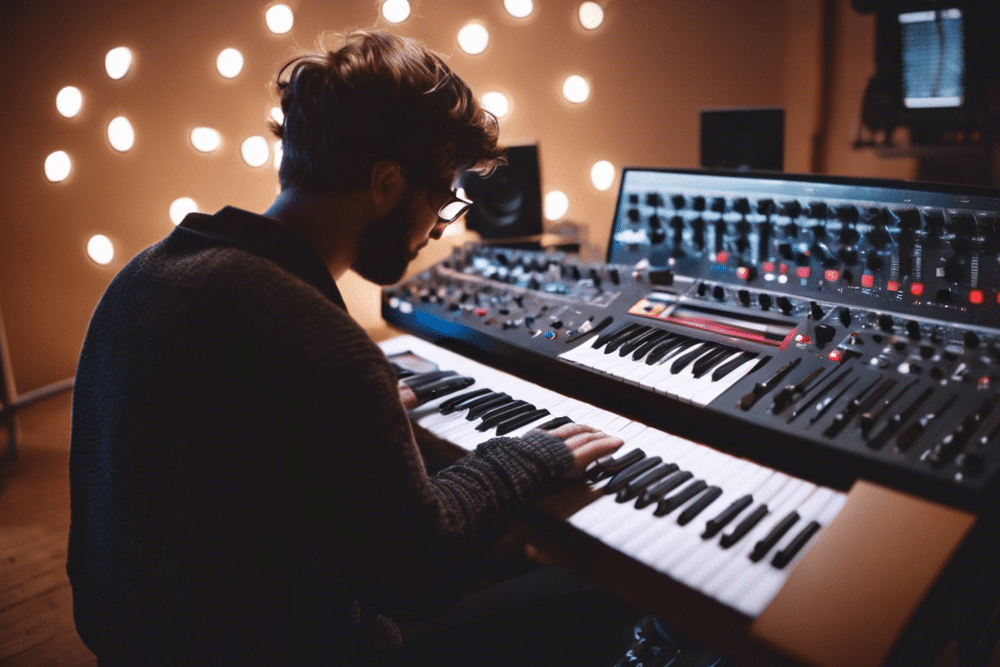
(373, 95)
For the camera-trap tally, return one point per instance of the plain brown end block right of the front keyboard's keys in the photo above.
(859, 583)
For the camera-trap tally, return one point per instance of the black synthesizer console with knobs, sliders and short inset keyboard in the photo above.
(857, 322)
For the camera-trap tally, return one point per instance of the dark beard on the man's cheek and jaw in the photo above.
(383, 253)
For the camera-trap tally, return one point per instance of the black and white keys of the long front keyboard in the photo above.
(717, 523)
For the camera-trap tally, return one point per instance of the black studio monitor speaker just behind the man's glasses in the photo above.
(508, 203)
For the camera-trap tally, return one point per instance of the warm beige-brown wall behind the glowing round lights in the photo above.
(652, 66)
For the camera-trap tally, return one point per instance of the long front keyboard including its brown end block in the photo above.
(769, 568)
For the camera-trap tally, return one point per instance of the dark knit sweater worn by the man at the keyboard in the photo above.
(245, 486)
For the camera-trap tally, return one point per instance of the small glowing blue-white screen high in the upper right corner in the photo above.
(933, 59)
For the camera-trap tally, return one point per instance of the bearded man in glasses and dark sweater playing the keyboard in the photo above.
(245, 485)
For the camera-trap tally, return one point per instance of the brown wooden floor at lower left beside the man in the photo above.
(36, 611)
